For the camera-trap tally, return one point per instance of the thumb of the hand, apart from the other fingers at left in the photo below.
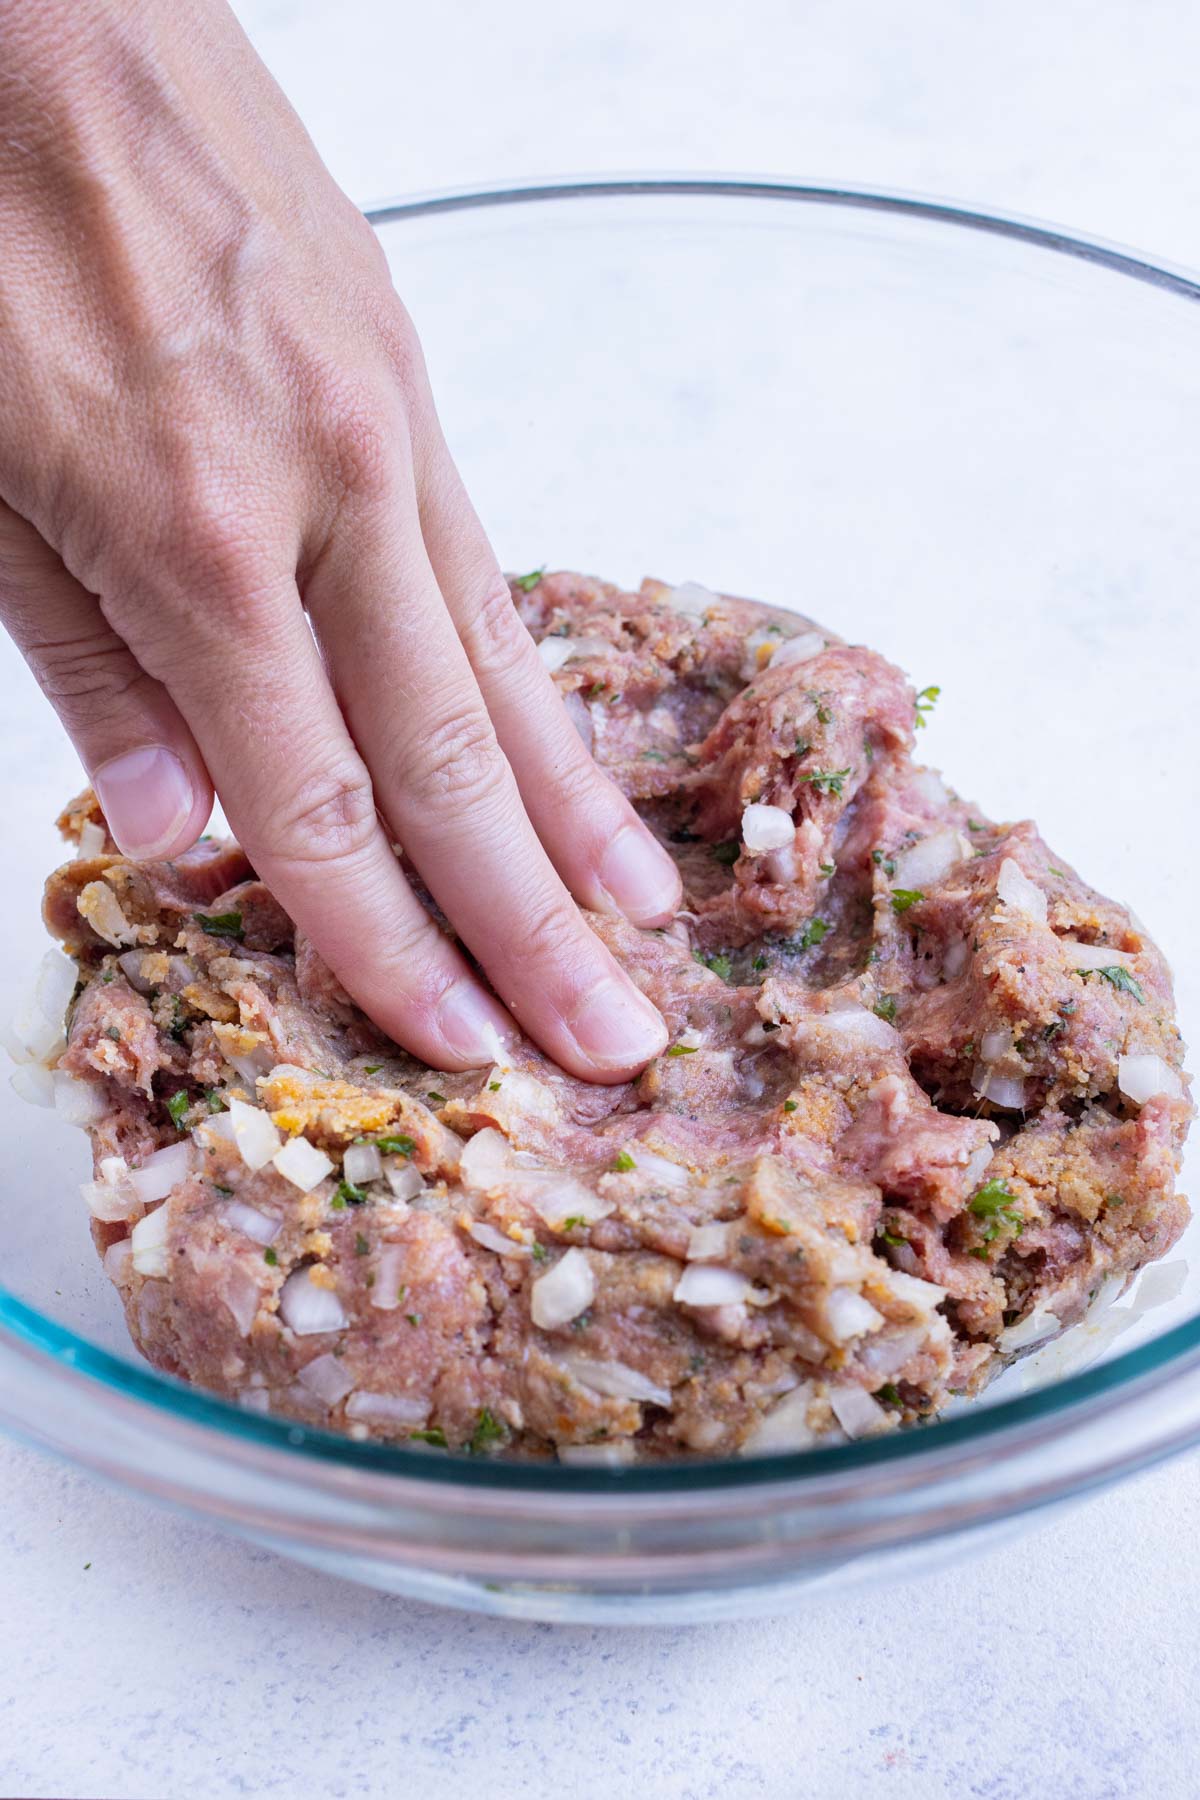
(141, 757)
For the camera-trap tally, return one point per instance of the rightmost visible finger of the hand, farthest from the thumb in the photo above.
(596, 840)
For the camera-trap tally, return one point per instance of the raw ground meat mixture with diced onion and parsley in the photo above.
(924, 1095)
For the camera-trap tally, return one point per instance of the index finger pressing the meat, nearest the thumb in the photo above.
(301, 802)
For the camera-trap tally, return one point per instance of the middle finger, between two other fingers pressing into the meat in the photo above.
(451, 798)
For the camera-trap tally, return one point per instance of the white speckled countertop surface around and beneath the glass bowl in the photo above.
(145, 1657)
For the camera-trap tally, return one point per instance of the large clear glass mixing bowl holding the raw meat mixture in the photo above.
(963, 440)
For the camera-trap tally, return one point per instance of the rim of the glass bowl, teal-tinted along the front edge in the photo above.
(28, 1333)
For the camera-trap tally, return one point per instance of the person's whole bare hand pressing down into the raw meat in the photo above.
(237, 553)
